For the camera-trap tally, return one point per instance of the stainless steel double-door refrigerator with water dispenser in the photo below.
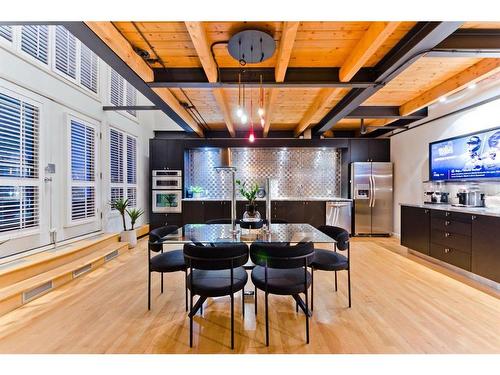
(371, 190)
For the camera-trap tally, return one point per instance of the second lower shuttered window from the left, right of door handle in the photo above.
(83, 180)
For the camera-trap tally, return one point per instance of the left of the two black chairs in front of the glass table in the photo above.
(215, 271)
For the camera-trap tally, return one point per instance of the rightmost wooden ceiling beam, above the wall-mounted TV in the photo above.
(476, 72)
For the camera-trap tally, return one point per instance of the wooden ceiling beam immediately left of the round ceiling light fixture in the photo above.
(201, 43)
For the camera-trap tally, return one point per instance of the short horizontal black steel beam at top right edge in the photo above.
(469, 43)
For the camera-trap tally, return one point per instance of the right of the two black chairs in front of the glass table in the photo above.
(282, 270)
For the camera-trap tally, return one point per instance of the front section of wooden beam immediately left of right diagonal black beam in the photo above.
(373, 38)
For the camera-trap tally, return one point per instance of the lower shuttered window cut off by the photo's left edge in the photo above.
(19, 176)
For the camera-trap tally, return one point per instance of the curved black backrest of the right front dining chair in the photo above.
(278, 255)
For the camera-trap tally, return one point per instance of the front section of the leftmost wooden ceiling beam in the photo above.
(108, 33)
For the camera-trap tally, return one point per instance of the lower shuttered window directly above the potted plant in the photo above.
(123, 166)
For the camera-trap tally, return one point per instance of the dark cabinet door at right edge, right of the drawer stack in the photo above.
(486, 247)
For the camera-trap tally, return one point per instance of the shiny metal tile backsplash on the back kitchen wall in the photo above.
(295, 172)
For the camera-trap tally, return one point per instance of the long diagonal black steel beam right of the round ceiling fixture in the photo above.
(417, 42)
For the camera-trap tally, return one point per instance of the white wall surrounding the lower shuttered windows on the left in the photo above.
(58, 98)
